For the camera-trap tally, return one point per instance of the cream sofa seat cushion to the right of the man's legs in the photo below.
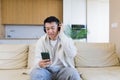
(106, 73)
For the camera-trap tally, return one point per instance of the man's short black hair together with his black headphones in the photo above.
(52, 19)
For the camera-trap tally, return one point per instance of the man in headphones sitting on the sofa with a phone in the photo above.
(62, 51)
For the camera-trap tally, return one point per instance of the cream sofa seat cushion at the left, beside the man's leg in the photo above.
(17, 74)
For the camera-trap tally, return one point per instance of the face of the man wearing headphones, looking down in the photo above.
(51, 30)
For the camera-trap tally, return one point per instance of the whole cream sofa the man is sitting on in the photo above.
(94, 61)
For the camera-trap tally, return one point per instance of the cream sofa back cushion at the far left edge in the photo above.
(13, 56)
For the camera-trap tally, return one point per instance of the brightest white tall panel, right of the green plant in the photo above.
(98, 20)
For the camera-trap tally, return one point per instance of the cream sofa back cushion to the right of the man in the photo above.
(96, 55)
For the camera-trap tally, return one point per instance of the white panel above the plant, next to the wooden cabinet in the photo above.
(74, 12)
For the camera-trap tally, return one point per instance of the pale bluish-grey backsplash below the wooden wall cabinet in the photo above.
(23, 31)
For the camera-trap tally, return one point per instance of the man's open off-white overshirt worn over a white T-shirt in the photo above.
(65, 50)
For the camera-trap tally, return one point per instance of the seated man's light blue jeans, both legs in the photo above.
(63, 74)
